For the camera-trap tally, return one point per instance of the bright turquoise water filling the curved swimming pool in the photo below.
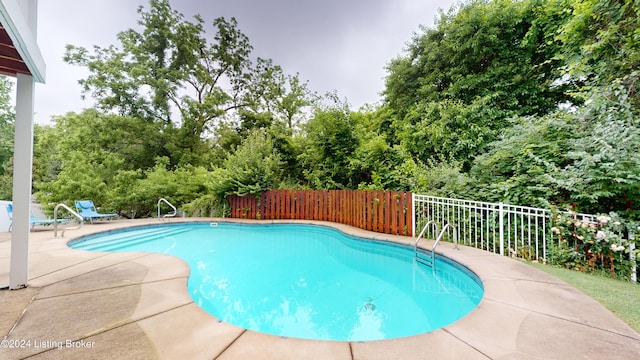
(306, 281)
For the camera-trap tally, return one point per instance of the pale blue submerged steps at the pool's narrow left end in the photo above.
(118, 240)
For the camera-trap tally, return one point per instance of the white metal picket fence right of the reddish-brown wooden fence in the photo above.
(519, 230)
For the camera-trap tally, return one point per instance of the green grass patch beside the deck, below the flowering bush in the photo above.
(621, 297)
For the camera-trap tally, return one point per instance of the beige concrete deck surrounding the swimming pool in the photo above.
(82, 304)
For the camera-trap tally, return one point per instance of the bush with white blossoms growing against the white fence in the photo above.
(591, 244)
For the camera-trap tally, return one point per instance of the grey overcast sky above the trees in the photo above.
(340, 45)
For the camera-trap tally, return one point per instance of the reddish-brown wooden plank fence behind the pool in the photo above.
(387, 212)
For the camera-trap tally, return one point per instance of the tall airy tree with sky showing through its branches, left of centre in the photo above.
(170, 74)
